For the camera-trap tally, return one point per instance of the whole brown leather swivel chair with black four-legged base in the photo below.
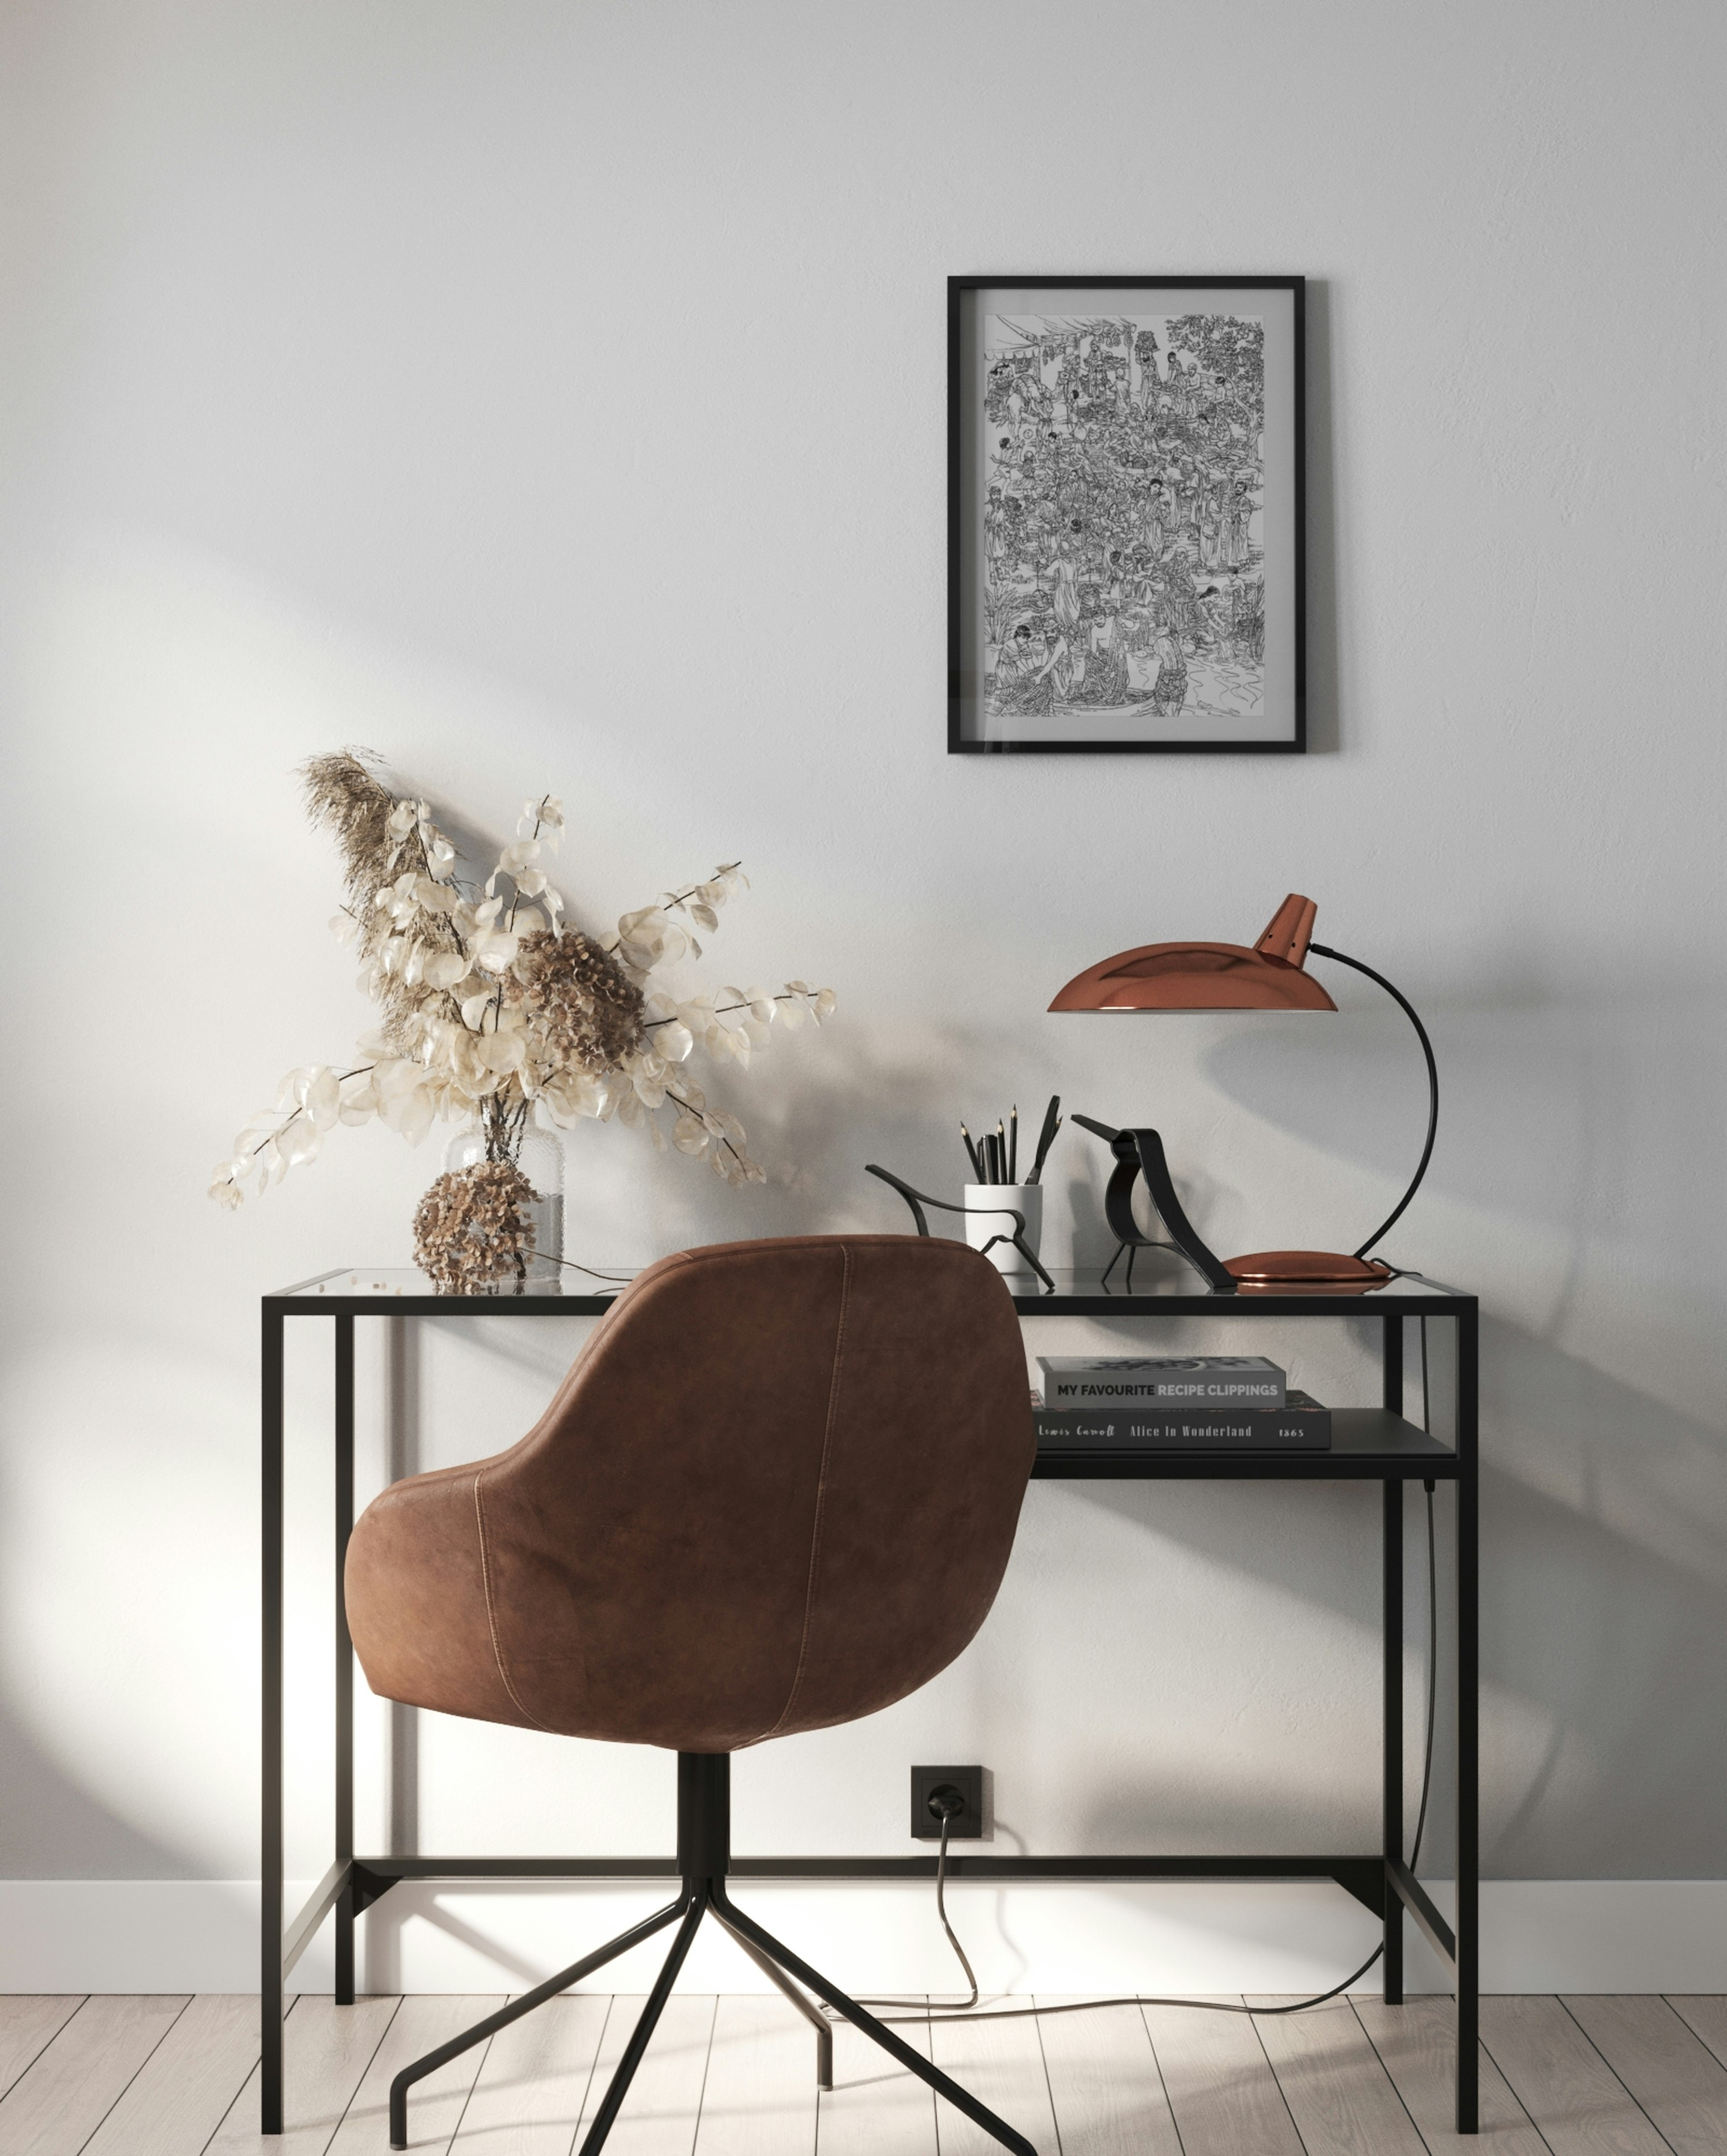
(775, 1493)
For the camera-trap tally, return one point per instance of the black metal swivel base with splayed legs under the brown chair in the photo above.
(704, 1857)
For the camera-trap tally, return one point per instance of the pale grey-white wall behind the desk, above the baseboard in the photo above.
(553, 398)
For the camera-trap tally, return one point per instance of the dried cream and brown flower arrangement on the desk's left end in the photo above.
(491, 1008)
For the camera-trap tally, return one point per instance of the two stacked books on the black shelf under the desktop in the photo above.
(1198, 1402)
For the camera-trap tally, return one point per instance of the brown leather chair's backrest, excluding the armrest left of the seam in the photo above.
(777, 1491)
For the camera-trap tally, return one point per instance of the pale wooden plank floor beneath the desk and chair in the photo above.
(736, 2077)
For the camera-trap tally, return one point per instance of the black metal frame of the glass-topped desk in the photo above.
(1381, 1879)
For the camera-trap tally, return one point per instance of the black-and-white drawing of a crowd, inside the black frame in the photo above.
(1124, 516)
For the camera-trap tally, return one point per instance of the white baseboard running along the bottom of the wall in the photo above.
(1170, 1937)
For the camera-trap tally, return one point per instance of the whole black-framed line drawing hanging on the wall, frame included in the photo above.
(1127, 516)
